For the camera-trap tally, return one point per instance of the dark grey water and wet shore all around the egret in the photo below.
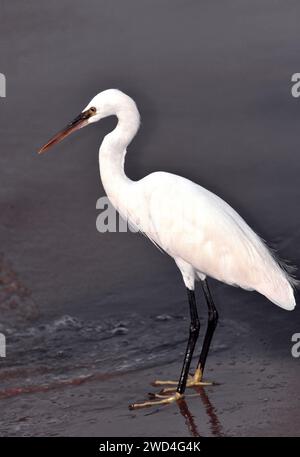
(212, 80)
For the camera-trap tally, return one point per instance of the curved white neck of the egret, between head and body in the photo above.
(112, 154)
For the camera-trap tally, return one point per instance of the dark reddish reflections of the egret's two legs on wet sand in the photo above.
(215, 425)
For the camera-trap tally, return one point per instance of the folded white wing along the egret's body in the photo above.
(192, 223)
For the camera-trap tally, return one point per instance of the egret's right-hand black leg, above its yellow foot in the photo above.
(211, 326)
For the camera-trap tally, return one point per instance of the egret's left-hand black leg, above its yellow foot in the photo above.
(193, 336)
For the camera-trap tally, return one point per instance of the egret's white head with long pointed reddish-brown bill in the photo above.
(107, 103)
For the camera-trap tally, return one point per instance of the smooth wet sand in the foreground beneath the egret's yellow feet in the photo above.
(241, 406)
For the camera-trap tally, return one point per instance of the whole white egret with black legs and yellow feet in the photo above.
(202, 233)
